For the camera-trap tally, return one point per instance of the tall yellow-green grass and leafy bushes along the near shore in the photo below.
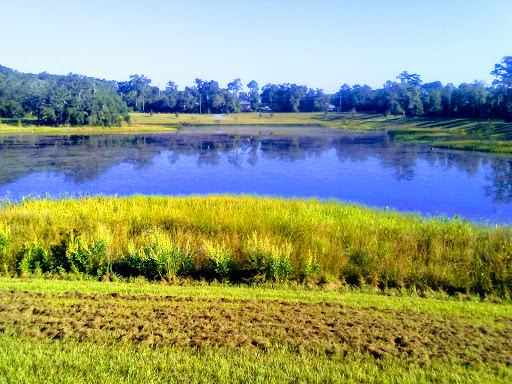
(250, 239)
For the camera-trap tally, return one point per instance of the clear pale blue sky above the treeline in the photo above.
(318, 43)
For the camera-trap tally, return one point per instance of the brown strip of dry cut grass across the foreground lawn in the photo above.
(188, 321)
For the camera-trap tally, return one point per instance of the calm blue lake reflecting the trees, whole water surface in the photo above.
(361, 168)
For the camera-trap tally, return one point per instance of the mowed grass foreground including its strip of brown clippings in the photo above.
(90, 331)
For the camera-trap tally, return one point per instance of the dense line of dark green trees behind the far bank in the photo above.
(79, 100)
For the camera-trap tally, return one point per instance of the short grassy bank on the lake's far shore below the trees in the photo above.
(466, 134)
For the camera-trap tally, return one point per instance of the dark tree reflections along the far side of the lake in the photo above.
(83, 159)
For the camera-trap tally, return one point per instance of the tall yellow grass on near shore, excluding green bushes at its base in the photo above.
(347, 241)
